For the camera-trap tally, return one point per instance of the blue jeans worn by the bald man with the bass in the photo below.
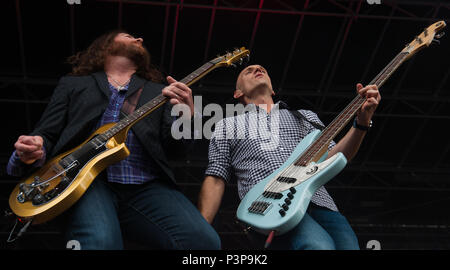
(320, 229)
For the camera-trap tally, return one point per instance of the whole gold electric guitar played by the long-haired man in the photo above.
(63, 180)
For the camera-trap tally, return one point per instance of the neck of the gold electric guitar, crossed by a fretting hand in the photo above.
(155, 103)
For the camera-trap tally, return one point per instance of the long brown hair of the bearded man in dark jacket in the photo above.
(93, 59)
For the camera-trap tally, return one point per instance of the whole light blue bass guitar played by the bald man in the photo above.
(278, 202)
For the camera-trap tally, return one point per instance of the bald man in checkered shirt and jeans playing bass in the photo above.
(249, 160)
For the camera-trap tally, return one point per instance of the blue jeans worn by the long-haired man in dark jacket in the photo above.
(153, 215)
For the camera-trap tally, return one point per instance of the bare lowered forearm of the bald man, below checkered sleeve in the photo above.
(210, 197)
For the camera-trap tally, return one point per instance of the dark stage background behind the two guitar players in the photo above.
(397, 189)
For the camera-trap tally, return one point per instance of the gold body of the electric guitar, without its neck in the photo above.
(87, 161)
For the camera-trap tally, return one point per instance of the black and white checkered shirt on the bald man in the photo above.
(238, 150)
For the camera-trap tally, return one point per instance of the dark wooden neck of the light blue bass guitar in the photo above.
(320, 146)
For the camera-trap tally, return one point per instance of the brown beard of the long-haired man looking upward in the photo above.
(137, 54)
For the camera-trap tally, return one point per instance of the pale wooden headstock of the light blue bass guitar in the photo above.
(429, 35)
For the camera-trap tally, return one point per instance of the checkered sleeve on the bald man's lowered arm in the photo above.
(219, 155)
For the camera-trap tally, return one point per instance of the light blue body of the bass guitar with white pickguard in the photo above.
(261, 206)
